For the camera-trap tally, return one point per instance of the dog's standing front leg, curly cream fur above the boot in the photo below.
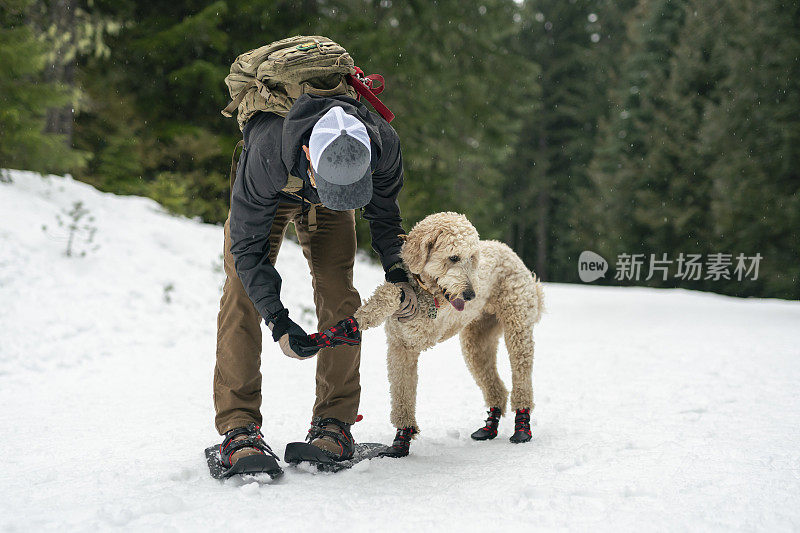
(402, 366)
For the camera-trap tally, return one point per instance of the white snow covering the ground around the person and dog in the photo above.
(656, 409)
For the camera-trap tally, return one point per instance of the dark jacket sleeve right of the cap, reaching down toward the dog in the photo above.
(383, 211)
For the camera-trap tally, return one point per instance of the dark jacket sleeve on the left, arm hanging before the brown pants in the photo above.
(253, 208)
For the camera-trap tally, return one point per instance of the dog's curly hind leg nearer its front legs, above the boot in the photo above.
(479, 345)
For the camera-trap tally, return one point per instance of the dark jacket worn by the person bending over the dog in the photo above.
(273, 149)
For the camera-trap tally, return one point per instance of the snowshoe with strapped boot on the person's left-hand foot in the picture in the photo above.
(262, 460)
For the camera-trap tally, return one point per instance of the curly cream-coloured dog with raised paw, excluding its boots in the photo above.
(445, 253)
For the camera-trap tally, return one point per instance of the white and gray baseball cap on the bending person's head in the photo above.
(340, 155)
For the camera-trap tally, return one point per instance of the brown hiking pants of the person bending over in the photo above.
(330, 251)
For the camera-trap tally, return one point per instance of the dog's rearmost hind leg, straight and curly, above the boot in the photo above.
(519, 341)
